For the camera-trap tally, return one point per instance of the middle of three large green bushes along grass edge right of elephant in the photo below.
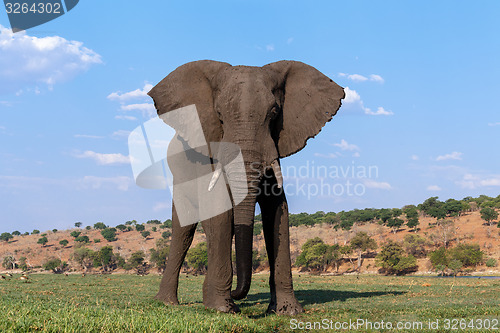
(393, 261)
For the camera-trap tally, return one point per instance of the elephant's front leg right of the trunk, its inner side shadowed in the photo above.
(275, 223)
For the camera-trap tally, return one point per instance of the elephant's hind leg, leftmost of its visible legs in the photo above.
(182, 237)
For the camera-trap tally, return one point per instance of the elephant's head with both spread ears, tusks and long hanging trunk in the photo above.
(269, 112)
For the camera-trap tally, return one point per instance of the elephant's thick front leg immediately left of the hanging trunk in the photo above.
(219, 278)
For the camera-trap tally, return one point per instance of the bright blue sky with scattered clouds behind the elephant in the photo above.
(421, 108)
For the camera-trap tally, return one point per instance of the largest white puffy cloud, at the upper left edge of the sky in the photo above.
(27, 61)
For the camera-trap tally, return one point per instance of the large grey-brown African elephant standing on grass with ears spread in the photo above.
(269, 113)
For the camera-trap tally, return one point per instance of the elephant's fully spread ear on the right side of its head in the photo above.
(309, 100)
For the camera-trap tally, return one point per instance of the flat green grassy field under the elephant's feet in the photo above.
(123, 303)
